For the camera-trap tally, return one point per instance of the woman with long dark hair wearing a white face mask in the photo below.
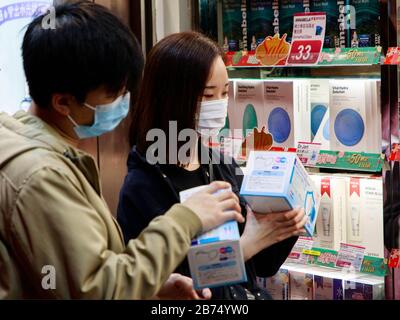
(185, 86)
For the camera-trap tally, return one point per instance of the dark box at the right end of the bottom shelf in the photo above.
(371, 288)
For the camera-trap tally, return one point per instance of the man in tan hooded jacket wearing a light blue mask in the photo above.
(53, 218)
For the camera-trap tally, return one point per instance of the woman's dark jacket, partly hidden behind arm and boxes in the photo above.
(147, 193)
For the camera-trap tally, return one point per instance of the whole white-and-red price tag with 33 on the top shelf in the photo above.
(308, 38)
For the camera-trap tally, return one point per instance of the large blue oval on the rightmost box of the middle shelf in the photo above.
(349, 127)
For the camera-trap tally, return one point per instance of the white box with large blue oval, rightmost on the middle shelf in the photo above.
(348, 118)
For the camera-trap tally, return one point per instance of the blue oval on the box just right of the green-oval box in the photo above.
(279, 125)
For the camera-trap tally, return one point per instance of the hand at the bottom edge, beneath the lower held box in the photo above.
(179, 287)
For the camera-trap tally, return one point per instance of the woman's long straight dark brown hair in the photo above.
(175, 76)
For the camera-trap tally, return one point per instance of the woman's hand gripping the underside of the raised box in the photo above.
(264, 230)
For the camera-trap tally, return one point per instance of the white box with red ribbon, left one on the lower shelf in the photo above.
(330, 228)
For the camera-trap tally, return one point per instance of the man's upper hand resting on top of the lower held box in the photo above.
(215, 208)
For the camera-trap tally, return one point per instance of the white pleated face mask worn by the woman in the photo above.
(212, 117)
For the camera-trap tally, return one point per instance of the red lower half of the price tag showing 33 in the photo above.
(305, 52)
